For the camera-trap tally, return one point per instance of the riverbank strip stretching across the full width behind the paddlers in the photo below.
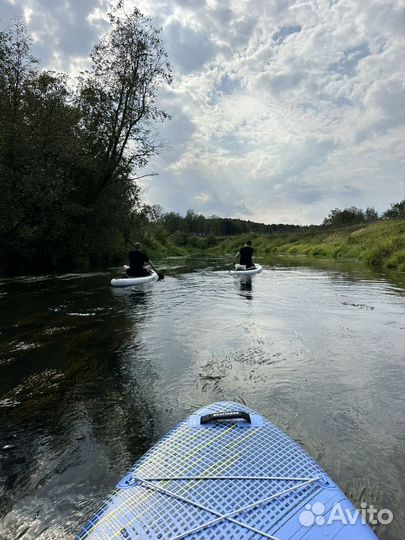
(380, 245)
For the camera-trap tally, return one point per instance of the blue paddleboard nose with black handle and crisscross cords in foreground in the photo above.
(225, 473)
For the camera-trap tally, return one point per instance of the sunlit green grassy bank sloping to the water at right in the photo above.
(380, 244)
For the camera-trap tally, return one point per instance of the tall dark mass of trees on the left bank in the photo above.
(69, 149)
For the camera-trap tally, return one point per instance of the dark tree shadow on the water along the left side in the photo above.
(69, 414)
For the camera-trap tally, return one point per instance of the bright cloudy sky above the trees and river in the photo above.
(281, 109)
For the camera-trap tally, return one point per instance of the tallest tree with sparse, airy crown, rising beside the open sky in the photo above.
(118, 94)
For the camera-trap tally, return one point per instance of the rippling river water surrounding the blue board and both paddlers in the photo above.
(90, 377)
